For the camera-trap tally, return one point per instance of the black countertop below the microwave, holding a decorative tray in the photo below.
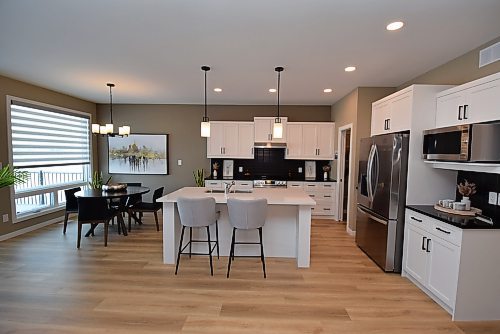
(464, 222)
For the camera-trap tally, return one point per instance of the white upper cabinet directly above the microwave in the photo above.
(474, 102)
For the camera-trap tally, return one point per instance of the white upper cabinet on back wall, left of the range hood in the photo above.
(230, 140)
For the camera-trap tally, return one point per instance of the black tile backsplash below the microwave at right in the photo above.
(485, 182)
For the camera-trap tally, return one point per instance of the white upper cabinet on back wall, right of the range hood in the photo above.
(311, 141)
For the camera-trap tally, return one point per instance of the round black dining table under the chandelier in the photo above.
(122, 195)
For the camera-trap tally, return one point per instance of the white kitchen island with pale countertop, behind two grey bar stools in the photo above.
(287, 231)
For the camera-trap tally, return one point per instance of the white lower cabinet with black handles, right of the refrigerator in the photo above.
(455, 267)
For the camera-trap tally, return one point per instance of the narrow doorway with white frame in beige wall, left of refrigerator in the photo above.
(344, 172)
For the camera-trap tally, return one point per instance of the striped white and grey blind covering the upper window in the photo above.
(48, 138)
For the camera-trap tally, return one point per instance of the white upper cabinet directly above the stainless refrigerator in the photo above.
(392, 113)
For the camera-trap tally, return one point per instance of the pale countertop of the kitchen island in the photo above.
(274, 196)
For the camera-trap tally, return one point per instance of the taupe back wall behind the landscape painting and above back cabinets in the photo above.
(182, 123)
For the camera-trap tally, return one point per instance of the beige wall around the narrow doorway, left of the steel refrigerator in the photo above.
(356, 108)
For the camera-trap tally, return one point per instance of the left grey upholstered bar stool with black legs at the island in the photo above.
(197, 212)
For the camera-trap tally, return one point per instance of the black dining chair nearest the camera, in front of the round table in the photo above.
(94, 210)
